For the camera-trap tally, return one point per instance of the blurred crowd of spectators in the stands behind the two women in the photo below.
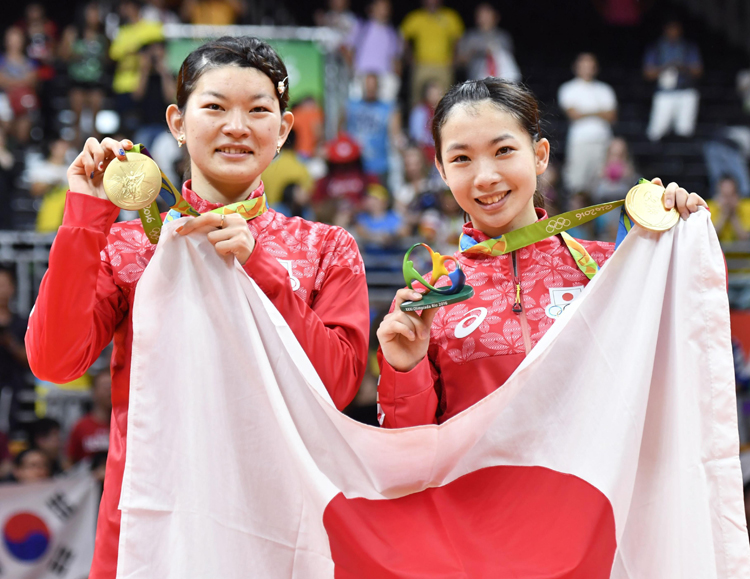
(106, 73)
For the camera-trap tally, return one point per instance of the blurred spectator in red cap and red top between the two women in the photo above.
(340, 193)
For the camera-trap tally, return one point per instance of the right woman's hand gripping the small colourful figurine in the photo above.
(405, 336)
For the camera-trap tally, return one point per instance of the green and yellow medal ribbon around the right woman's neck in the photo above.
(559, 224)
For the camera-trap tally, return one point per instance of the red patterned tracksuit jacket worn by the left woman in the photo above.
(313, 274)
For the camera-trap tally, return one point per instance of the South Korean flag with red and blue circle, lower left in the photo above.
(48, 527)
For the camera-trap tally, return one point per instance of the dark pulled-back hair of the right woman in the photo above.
(514, 98)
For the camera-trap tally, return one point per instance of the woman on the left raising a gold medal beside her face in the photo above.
(231, 114)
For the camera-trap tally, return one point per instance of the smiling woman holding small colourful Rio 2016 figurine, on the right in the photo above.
(490, 152)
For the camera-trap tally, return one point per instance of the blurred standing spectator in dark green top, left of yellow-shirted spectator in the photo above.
(84, 48)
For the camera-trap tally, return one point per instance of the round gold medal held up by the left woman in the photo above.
(132, 184)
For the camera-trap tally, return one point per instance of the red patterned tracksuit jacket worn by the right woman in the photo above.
(476, 345)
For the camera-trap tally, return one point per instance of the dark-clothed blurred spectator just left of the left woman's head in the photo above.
(155, 91)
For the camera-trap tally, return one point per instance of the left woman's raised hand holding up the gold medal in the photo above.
(85, 174)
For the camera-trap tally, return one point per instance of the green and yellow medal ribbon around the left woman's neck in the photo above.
(179, 207)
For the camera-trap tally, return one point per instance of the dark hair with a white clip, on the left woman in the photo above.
(242, 51)
